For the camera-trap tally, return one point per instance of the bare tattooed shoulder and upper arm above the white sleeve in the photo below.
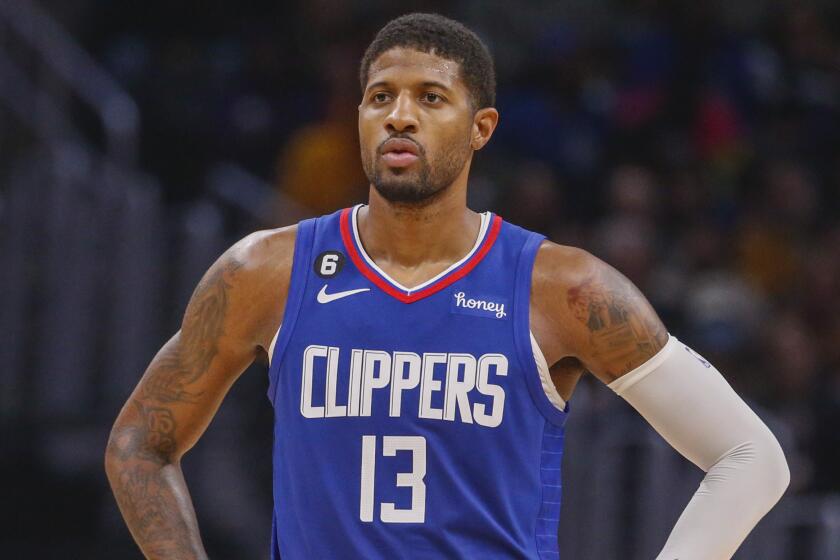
(592, 312)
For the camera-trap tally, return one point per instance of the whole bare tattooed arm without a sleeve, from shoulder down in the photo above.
(230, 319)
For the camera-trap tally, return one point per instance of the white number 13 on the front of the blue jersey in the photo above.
(414, 479)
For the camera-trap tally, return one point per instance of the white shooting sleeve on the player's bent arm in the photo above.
(692, 406)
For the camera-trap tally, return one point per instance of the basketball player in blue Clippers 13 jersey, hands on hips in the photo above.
(416, 412)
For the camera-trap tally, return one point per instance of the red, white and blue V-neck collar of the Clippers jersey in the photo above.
(348, 223)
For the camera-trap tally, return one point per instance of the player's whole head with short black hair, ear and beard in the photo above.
(428, 89)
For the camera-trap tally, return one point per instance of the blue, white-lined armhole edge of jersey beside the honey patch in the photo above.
(538, 386)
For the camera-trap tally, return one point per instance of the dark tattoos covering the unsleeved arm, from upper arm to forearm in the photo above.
(142, 457)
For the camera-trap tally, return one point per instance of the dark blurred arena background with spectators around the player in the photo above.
(693, 145)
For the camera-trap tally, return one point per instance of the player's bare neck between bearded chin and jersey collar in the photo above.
(407, 237)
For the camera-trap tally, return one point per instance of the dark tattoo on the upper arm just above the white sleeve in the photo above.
(623, 329)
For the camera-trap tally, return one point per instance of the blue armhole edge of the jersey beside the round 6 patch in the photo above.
(297, 286)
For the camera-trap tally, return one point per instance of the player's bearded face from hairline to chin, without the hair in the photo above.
(416, 125)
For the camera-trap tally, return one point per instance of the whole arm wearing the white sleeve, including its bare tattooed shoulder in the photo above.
(611, 328)
